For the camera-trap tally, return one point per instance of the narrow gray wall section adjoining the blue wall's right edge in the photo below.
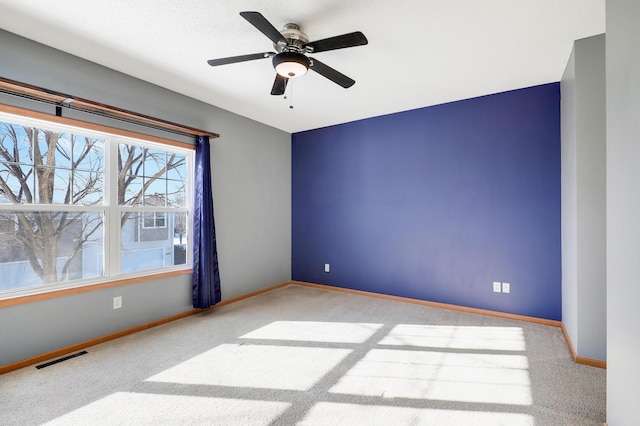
(583, 116)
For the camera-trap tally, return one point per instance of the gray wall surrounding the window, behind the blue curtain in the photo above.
(251, 166)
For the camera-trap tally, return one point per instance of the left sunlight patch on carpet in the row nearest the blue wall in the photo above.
(312, 331)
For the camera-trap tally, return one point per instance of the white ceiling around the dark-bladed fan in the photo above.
(420, 52)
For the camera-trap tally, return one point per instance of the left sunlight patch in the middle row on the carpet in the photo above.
(255, 366)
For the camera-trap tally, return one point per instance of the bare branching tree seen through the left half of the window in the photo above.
(46, 167)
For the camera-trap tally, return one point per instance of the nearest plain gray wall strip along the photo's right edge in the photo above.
(623, 211)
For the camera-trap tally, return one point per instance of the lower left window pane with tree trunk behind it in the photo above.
(47, 247)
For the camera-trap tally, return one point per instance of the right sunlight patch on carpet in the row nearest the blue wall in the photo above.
(457, 337)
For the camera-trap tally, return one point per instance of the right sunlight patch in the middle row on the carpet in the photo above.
(481, 378)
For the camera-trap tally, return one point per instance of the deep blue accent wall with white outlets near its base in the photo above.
(436, 203)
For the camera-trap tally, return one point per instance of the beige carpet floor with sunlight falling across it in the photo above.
(303, 356)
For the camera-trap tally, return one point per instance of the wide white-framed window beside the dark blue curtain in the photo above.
(79, 206)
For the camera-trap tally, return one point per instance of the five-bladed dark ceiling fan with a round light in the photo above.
(292, 47)
